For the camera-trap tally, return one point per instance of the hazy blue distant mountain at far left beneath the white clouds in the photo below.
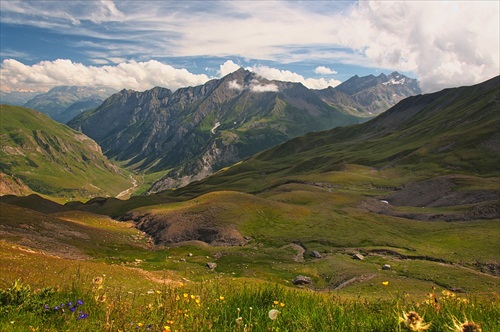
(63, 103)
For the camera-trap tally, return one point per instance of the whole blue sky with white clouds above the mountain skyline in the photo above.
(141, 44)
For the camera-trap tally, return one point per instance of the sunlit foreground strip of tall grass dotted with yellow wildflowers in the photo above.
(85, 304)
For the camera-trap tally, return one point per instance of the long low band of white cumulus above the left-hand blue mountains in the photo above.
(131, 75)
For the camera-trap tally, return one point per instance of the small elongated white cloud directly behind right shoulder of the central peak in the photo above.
(289, 76)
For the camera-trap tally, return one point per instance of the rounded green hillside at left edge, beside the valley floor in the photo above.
(54, 160)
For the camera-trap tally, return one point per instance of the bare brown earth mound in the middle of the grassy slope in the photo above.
(181, 226)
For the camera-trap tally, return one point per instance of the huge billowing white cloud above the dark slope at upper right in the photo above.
(445, 43)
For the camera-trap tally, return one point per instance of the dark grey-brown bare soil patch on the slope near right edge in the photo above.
(438, 192)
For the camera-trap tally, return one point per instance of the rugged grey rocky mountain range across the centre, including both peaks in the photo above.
(196, 131)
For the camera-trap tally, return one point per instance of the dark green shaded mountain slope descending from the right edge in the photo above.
(454, 133)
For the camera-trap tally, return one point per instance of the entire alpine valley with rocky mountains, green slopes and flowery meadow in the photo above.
(267, 188)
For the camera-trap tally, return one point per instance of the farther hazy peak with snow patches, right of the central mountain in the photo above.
(370, 95)
